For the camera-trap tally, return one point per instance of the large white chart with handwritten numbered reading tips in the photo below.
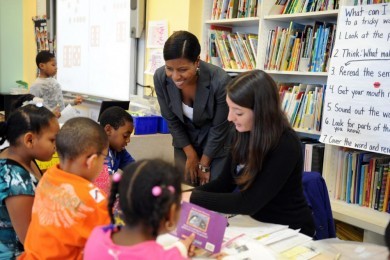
(357, 102)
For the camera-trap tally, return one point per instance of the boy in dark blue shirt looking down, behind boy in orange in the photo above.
(118, 125)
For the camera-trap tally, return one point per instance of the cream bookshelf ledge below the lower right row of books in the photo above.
(366, 218)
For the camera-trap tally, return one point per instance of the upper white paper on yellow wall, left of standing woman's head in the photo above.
(157, 34)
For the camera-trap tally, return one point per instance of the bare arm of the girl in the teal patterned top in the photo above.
(19, 208)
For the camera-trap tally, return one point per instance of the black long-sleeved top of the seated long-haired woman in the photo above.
(275, 196)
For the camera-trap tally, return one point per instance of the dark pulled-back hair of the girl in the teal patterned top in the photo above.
(29, 118)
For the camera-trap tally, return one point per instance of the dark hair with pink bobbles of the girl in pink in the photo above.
(137, 203)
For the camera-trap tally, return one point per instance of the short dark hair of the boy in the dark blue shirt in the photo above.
(115, 116)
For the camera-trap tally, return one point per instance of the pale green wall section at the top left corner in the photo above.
(11, 45)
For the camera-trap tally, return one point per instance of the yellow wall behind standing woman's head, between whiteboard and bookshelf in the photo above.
(180, 14)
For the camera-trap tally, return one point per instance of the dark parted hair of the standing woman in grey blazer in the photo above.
(182, 44)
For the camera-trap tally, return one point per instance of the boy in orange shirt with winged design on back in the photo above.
(67, 205)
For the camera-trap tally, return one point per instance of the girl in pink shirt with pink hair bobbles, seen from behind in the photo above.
(149, 196)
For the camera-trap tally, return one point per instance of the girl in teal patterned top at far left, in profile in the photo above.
(31, 132)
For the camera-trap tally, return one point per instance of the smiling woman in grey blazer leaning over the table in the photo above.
(192, 98)
